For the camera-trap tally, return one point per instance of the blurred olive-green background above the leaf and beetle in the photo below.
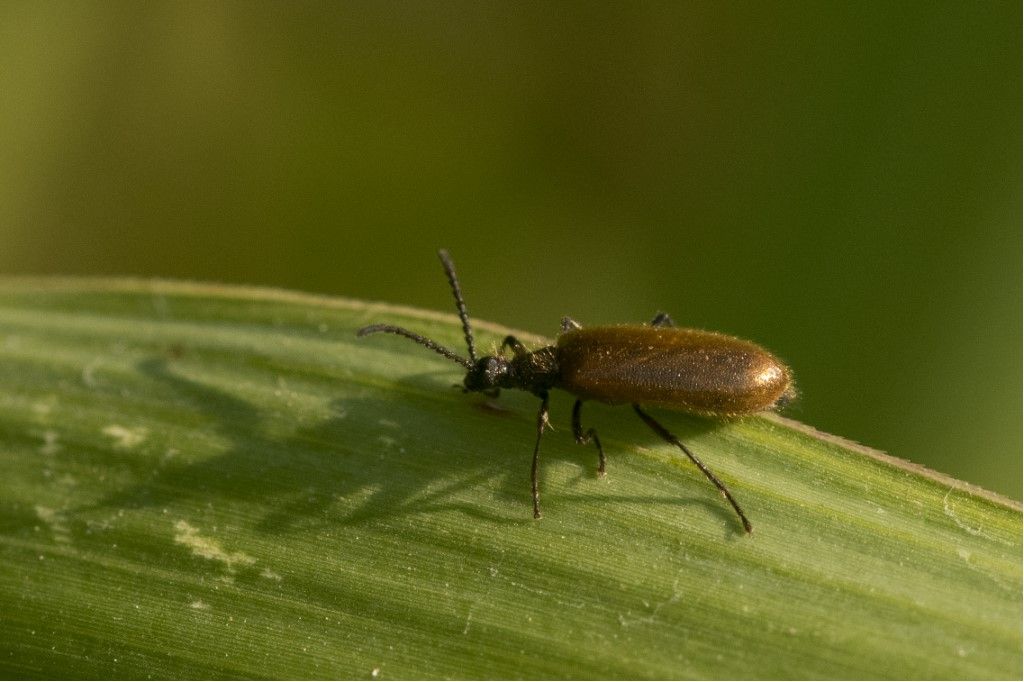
(839, 182)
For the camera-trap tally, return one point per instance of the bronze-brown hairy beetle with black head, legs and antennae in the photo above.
(701, 373)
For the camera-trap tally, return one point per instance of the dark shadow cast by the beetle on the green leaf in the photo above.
(326, 475)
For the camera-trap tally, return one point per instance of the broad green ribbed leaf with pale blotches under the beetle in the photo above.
(206, 482)
